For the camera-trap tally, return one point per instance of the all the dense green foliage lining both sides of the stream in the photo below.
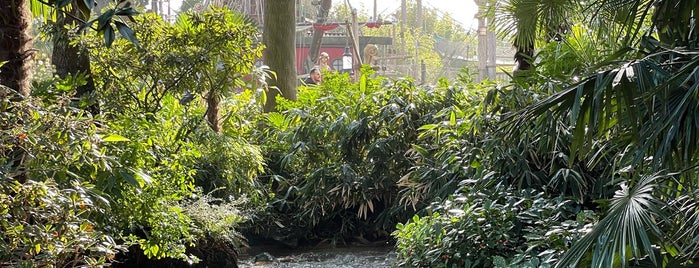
(586, 159)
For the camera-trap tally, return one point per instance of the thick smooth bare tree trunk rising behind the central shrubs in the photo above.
(280, 52)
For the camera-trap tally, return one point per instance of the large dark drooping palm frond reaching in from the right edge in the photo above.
(650, 103)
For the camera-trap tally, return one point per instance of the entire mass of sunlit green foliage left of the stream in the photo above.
(137, 176)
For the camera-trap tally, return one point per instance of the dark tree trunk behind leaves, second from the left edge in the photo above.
(69, 59)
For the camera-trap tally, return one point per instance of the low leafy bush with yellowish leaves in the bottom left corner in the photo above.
(45, 225)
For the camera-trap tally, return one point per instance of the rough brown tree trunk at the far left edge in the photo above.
(15, 46)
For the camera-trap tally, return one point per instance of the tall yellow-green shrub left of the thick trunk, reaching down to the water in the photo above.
(169, 113)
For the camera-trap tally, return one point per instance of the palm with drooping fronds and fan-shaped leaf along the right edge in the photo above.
(642, 103)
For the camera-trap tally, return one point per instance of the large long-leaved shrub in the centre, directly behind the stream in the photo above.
(335, 155)
